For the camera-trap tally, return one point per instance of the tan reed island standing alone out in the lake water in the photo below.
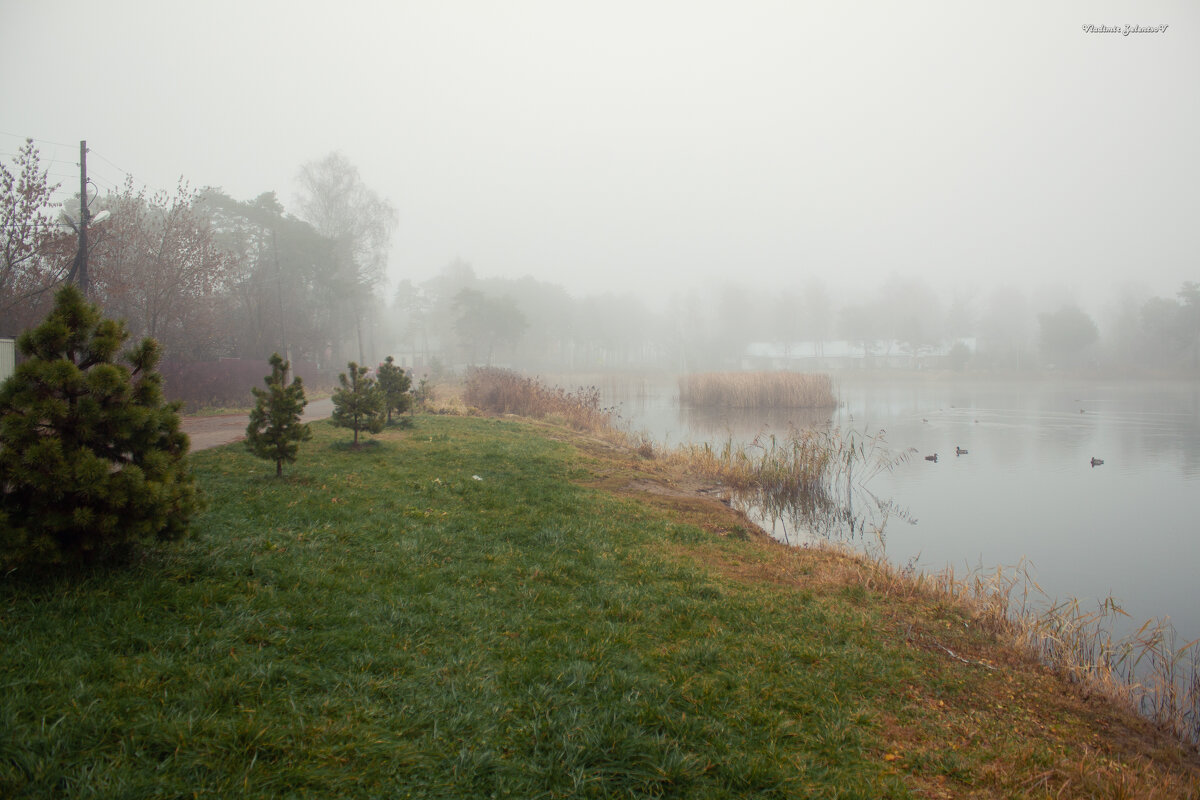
(758, 390)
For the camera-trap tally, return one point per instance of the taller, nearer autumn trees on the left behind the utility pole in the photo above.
(206, 275)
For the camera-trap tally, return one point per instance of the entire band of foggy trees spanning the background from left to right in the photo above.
(211, 276)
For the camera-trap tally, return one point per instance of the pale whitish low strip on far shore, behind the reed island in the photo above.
(843, 354)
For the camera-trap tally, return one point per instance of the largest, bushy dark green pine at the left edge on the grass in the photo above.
(92, 458)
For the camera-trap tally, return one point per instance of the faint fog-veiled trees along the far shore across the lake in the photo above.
(458, 318)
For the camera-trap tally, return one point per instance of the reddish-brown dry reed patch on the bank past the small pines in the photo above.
(503, 392)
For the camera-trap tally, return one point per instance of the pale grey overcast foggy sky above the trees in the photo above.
(652, 146)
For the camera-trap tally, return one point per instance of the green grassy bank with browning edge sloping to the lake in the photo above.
(481, 607)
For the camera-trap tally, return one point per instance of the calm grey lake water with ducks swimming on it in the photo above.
(1025, 490)
